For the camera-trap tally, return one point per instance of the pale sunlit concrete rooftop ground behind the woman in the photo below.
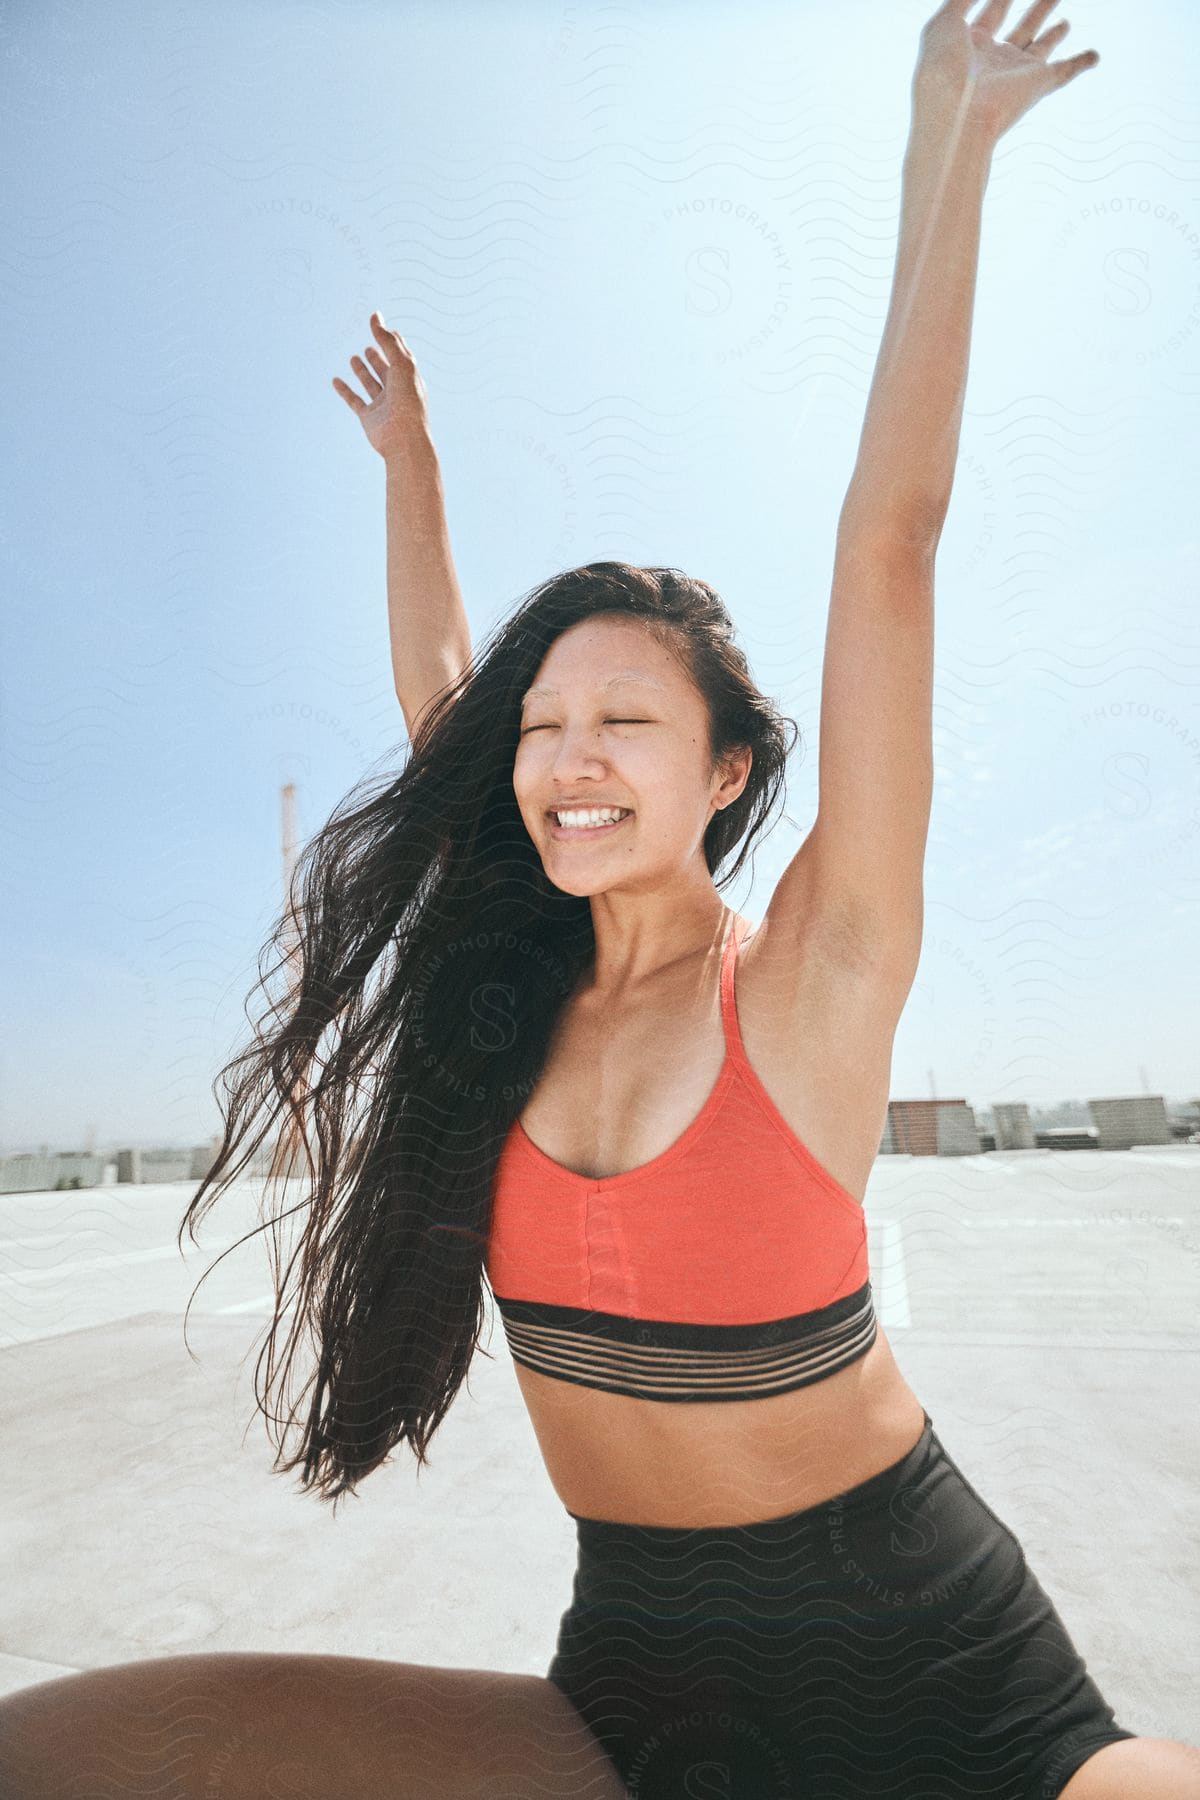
(1043, 1304)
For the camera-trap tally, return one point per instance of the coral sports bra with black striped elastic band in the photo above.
(730, 1268)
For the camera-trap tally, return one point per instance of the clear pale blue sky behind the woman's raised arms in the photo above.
(643, 258)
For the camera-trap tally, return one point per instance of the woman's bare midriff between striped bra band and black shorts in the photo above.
(722, 1462)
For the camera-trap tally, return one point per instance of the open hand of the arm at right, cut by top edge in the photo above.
(994, 82)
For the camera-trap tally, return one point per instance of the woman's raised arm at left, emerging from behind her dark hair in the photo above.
(427, 620)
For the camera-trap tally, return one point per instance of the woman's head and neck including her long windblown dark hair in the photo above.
(445, 895)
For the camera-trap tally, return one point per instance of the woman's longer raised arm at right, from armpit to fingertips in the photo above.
(857, 879)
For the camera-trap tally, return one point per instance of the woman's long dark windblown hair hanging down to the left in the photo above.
(425, 944)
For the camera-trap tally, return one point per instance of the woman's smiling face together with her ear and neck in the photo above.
(614, 719)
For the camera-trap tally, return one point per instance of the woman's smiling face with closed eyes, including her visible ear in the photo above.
(614, 721)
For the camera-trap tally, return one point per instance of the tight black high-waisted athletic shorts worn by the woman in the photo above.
(890, 1642)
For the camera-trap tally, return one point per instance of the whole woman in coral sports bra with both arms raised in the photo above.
(596, 1084)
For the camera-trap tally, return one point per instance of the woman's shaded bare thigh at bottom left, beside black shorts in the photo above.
(273, 1727)
